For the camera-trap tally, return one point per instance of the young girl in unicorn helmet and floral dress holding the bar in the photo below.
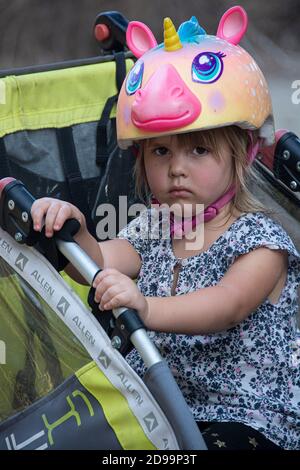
(222, 314)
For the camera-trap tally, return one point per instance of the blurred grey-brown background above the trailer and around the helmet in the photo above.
(43, 31)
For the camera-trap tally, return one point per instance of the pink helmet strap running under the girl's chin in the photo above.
(178, 228)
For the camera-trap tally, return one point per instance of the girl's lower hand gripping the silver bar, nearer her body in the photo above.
(114, 289)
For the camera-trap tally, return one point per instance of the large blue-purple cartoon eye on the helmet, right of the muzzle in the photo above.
(207, 67)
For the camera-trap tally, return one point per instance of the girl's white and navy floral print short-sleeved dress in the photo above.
(249, 373)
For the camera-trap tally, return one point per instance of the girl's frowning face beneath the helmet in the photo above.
(186, 174)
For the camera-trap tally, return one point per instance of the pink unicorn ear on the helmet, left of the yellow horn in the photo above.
(139, 38)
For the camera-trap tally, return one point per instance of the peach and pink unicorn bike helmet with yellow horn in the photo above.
(192, 81)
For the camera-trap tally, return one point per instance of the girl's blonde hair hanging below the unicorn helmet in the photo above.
(244, 175)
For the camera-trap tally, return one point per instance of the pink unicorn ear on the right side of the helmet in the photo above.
(233, 25)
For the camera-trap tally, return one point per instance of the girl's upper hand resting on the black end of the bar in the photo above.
(53, 213)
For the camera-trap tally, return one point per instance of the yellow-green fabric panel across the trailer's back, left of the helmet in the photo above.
(57, 98)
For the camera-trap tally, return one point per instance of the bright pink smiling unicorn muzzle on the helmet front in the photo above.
(165, 103)
